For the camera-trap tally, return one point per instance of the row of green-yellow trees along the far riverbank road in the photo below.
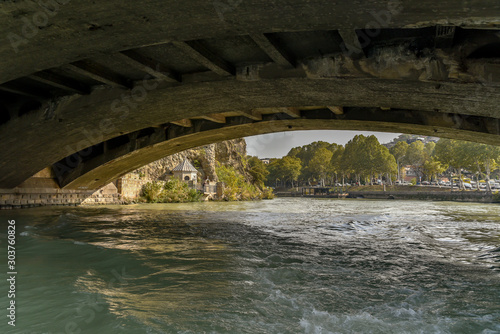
(363, 160)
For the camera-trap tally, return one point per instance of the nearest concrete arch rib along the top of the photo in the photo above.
(83, 29)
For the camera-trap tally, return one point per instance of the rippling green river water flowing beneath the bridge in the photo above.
(278, 266)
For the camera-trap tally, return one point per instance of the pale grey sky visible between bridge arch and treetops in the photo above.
(277, 145)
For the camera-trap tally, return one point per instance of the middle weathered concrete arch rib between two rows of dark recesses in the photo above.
(35, 140)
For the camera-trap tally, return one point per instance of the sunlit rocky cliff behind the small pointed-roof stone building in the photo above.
(204, 158)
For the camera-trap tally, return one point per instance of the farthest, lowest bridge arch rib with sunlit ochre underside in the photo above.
(99, 165)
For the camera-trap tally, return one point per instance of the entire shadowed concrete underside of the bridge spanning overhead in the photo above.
(97, 89)
